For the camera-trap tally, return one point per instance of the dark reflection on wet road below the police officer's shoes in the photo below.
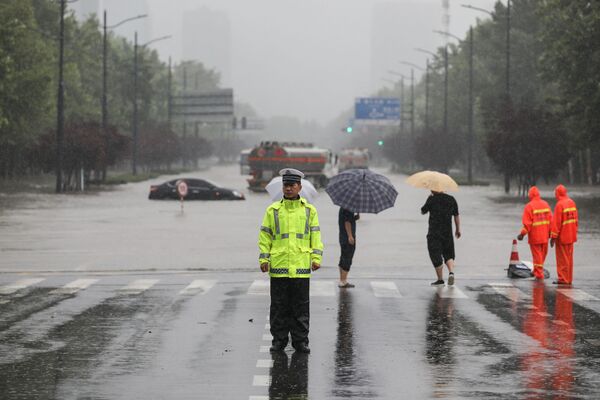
(289, 381)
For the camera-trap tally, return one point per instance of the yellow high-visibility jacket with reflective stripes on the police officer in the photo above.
(290, 239)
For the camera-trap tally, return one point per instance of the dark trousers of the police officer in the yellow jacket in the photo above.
(290, 310)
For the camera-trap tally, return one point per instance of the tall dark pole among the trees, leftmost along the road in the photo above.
(60, 103)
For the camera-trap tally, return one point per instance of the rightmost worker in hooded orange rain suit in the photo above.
(564, 233)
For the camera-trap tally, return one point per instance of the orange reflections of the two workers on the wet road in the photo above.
(549, 369)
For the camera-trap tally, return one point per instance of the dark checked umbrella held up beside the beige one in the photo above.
(362, 191)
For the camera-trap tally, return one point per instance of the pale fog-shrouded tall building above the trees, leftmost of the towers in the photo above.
(117, 11)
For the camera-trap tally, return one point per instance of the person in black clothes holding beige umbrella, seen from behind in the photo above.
(441, 208)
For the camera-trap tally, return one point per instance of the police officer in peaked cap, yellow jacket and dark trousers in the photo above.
(290, 246)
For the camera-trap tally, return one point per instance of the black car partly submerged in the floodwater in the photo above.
(197, 189)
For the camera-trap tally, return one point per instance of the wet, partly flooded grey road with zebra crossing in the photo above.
(112, 296)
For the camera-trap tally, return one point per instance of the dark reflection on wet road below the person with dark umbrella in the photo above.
(350, 379)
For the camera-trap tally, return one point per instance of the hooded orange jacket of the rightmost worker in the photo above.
(566, 219)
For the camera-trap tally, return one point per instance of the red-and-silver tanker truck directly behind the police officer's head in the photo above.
(268, 158)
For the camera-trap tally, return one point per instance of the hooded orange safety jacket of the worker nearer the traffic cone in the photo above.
(536, 218)
